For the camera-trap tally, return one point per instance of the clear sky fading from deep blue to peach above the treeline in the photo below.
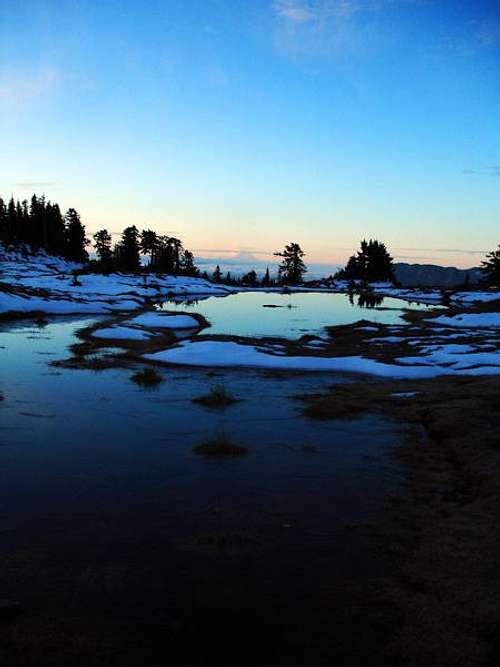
(241, 125)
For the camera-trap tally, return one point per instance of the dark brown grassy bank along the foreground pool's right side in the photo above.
(443, 535)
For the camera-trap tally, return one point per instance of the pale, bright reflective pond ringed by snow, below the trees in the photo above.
(289, 315)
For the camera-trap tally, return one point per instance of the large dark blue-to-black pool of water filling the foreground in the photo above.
(126, 548)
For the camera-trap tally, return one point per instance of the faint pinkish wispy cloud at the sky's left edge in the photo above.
(18, 88)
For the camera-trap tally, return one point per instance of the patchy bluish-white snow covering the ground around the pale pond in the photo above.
(47, 284)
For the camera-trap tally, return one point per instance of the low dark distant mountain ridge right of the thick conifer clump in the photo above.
(432, 275)
